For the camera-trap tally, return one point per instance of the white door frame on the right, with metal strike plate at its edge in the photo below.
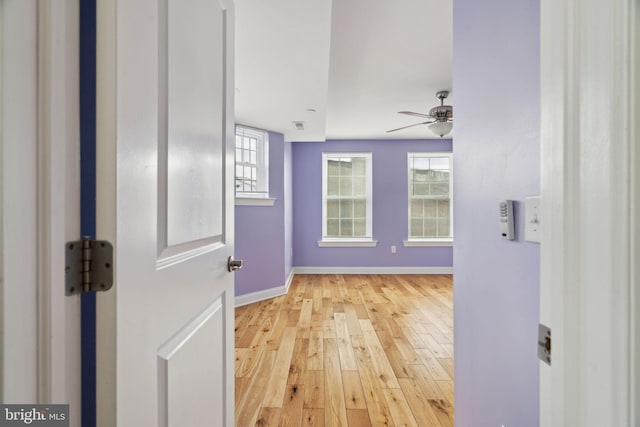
(590, 209)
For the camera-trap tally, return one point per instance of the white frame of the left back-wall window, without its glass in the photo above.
(367, 240)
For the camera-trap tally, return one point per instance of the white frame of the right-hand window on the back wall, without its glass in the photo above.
(429, 241)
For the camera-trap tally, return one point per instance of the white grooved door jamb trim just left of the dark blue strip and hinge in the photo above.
(58, 194)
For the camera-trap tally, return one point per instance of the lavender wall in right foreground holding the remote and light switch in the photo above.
(496, 282)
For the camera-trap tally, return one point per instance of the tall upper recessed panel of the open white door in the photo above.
(191, 88)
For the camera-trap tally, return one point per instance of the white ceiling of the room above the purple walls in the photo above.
(355, 62)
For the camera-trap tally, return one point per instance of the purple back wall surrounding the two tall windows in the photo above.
(389, 206)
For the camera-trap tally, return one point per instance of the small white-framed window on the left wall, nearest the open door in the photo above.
(252, 164)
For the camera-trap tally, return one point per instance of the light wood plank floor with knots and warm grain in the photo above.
(348, 350)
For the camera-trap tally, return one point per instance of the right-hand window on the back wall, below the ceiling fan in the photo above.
(430, 198)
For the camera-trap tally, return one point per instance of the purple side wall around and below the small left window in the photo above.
(260, 230)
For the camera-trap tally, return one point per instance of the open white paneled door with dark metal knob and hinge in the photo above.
(165, 198)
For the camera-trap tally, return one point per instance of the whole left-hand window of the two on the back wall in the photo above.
(346, 196)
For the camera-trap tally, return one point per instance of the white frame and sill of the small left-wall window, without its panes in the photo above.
(261, 197)
